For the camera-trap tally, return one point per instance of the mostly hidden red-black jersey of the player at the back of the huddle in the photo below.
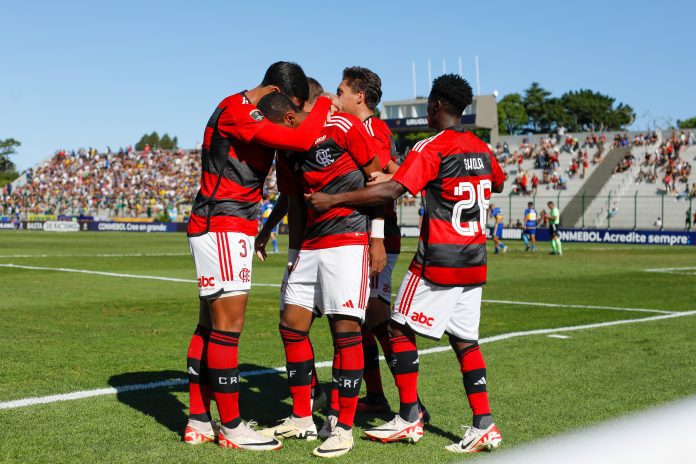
(383, 142)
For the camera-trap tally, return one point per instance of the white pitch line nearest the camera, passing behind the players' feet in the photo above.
(438, 349)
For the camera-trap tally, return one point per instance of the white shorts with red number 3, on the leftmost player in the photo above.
(223, 262)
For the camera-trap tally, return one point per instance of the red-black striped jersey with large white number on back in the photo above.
(457, 172)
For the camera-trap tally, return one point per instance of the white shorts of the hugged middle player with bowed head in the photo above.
(330, 281)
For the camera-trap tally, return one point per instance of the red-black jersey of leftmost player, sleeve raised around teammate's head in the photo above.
(235, 163)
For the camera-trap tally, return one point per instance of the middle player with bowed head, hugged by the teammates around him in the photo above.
(330, 274)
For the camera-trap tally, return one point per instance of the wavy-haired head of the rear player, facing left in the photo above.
(359, 88)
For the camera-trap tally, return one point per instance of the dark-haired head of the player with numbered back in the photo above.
(448, 98)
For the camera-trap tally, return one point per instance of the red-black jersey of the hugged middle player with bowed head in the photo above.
(333, 165)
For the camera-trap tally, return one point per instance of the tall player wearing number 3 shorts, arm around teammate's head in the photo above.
(237, 154)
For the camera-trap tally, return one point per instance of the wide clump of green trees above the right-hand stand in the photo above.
(536, 110)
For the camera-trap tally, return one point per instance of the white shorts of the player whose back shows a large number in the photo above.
(431, 310)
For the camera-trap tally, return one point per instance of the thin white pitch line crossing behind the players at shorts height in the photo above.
(174, 279)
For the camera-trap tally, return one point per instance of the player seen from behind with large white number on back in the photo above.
(442, 290)
